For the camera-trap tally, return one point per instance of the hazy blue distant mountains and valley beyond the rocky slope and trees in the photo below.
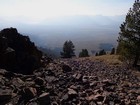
(84, 31)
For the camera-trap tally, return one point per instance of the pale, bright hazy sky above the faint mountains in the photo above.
(39, 10)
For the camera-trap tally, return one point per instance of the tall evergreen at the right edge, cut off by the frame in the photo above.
(129, 39)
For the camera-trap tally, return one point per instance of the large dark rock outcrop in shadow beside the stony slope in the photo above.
(18, 53)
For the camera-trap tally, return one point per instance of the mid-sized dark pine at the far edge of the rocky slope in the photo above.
(68, 50)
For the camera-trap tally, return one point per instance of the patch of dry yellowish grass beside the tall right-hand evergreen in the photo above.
(109, 59)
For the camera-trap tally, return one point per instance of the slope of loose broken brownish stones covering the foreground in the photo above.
(71, 82)
